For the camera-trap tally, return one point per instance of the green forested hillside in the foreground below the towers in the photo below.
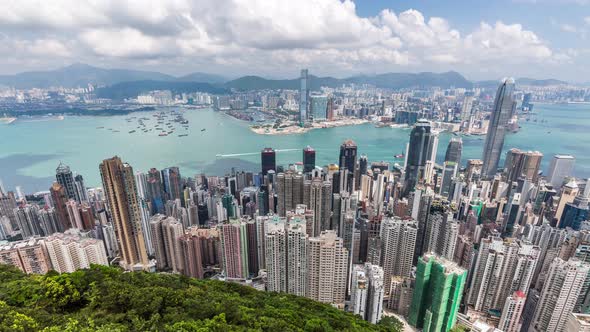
(106, 299)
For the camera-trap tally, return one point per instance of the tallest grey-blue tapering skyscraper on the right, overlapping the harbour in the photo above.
(504, 106)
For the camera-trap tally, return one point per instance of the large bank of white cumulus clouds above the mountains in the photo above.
(261, 35)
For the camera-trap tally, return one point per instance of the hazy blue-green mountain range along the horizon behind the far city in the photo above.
(123, 83)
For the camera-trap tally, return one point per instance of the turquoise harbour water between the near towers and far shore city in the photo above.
(30, 151)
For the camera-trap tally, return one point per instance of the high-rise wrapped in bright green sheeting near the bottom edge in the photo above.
(437, 294)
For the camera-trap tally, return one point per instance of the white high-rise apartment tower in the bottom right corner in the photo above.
(559, 295)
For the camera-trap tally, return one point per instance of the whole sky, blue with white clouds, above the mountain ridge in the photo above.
(483, 41)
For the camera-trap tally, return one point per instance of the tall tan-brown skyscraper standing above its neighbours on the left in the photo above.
(121, 194)
